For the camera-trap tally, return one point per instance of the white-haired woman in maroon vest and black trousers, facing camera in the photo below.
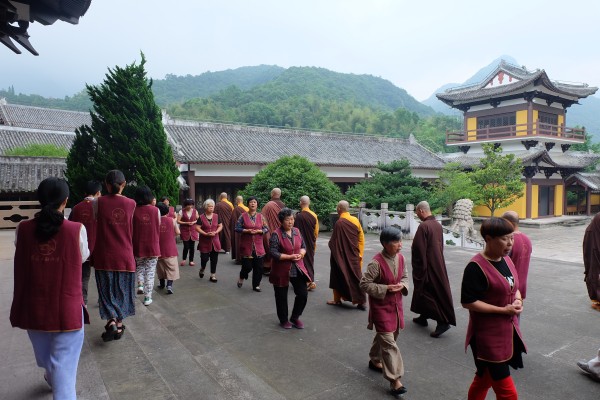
(209, 245)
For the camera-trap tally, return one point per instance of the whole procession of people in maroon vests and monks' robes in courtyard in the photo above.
(127, 241)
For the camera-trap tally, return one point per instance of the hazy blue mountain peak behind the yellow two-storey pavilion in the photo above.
(586, 114)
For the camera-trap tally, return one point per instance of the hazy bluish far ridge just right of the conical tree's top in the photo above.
(177, 89)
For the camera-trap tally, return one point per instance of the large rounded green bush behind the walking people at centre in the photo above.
(296, 177)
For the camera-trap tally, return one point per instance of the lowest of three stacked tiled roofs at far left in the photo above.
(24, 174)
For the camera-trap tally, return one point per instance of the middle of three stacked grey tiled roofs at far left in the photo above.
(11, 138)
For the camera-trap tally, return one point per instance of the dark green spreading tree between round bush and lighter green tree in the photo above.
(390, 183)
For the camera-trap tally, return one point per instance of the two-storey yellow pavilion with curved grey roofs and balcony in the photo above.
(525, 112)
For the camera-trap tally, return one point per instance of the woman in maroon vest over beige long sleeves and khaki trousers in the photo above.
(385, 282)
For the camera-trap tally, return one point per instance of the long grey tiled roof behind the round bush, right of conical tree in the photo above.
(236, 144)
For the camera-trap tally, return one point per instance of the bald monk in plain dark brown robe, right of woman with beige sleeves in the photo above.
(432, 297)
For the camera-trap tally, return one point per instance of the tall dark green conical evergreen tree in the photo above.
(126, 134)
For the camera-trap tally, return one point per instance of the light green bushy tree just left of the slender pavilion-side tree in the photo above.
(453, 184)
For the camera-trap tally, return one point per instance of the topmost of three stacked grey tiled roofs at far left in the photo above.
(42, 118)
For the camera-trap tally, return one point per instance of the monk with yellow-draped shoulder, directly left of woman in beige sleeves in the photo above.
(347, 245)
